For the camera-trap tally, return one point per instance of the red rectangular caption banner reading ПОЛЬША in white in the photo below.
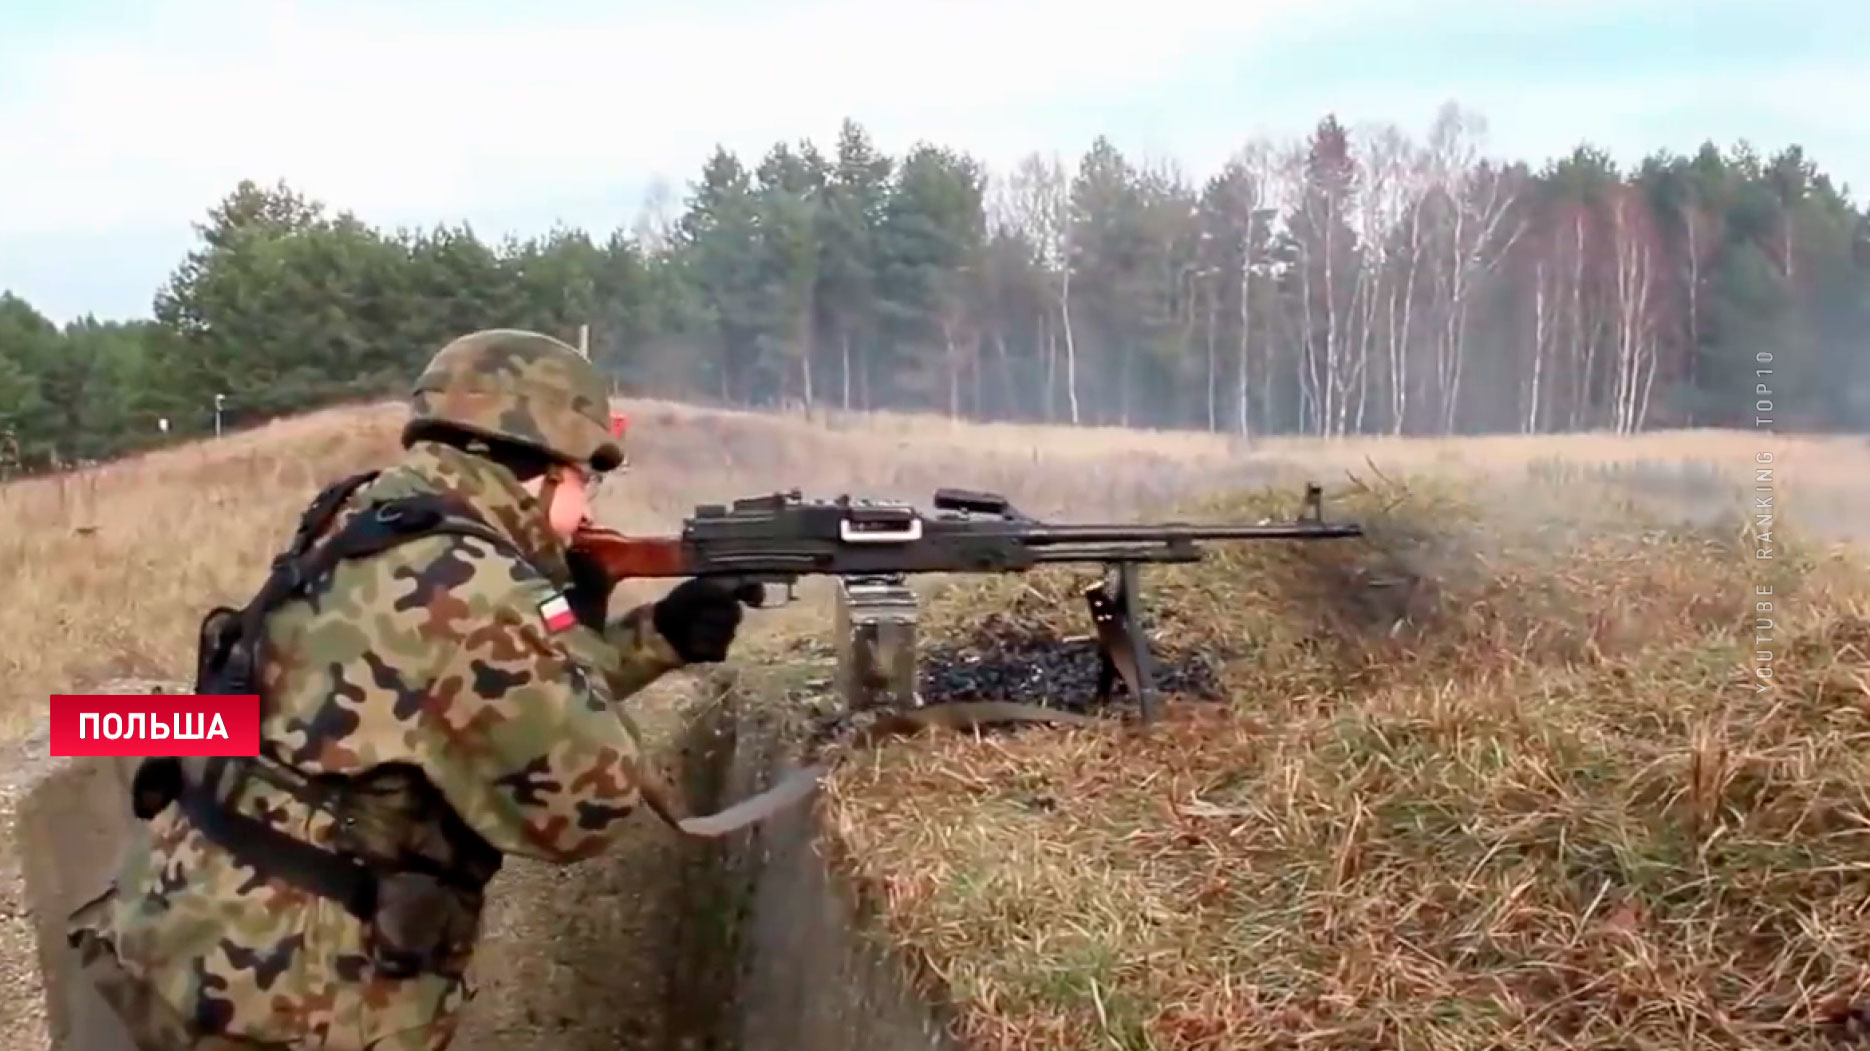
(156, 725)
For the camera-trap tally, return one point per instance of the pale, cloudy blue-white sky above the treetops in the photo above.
(122, 122)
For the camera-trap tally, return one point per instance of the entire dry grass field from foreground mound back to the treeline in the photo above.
(1501, 775)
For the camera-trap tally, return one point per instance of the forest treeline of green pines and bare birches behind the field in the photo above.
(1351, 281)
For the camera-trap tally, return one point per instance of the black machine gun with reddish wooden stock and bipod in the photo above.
(783, 538)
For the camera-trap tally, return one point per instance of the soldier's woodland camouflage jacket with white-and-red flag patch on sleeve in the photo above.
(437, 655)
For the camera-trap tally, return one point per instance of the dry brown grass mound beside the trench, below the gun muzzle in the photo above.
(1521, 794)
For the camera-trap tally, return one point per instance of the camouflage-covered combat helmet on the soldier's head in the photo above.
(525, 388)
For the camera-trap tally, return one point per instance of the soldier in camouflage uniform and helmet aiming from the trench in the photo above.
(427, 710)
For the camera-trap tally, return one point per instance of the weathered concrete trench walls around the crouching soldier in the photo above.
(745, 943)
